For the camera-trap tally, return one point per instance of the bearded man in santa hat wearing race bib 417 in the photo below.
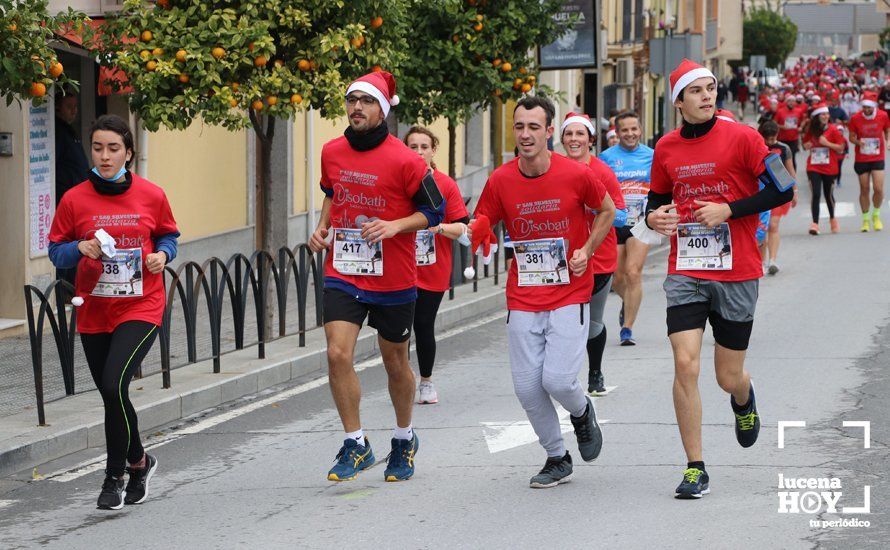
(377, 194)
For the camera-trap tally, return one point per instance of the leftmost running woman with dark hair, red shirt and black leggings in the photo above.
(119, 318)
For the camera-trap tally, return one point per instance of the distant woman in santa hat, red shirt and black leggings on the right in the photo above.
(825, 144)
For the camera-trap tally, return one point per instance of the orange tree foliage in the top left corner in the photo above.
(28, 65)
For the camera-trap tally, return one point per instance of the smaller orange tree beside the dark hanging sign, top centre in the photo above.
(467, 54)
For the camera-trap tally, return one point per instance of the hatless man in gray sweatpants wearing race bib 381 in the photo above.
(542, 199)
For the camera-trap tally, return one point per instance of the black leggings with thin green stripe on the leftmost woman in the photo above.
(113, 357)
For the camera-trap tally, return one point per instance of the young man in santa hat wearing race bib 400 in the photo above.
(704, 195)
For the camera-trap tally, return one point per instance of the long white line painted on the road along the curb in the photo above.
(95, 464)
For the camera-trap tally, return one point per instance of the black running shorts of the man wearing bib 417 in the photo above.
(393, 323)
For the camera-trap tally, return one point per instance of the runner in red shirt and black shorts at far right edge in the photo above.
(870, 133)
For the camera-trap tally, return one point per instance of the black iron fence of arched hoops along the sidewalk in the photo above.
(239, 281)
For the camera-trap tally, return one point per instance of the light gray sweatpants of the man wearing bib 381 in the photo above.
(547, 350)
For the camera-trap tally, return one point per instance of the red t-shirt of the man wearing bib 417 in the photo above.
(369, 185)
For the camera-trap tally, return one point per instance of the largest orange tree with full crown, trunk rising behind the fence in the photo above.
(249, 63)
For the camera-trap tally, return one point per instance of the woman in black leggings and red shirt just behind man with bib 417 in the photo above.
(433, 252)
